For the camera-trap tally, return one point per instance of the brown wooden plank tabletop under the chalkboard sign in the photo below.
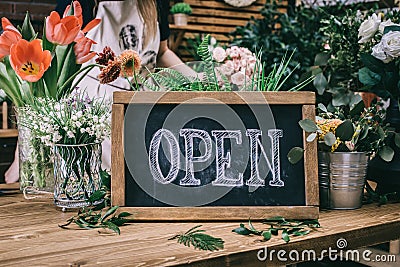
(30, 236)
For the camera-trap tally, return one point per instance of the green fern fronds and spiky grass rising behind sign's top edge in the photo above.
(210, 78)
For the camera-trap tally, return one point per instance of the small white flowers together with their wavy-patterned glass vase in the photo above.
(75, 126)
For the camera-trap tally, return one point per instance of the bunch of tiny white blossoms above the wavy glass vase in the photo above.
(74, 120)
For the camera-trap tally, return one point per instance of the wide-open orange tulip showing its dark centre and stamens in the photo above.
(29, 60)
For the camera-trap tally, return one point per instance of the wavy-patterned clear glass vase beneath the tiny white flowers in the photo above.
(77, 174)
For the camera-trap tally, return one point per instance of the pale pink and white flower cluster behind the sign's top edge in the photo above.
(238, 64)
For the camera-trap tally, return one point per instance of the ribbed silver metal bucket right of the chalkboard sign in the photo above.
(341, 179)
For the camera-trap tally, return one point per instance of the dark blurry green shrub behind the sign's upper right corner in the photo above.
(277, 33)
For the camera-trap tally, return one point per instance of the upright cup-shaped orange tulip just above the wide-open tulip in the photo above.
(61, 31)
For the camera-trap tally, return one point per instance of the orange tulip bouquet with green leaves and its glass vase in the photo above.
(31, 67)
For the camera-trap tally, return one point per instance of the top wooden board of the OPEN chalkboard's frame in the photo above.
(284, 98)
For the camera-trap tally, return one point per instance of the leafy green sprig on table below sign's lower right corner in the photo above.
(278, 224)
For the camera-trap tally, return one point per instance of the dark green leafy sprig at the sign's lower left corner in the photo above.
(102, 215)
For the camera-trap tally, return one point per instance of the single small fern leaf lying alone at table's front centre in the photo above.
(199, 240)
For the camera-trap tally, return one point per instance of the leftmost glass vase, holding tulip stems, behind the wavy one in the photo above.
(35, 158)
